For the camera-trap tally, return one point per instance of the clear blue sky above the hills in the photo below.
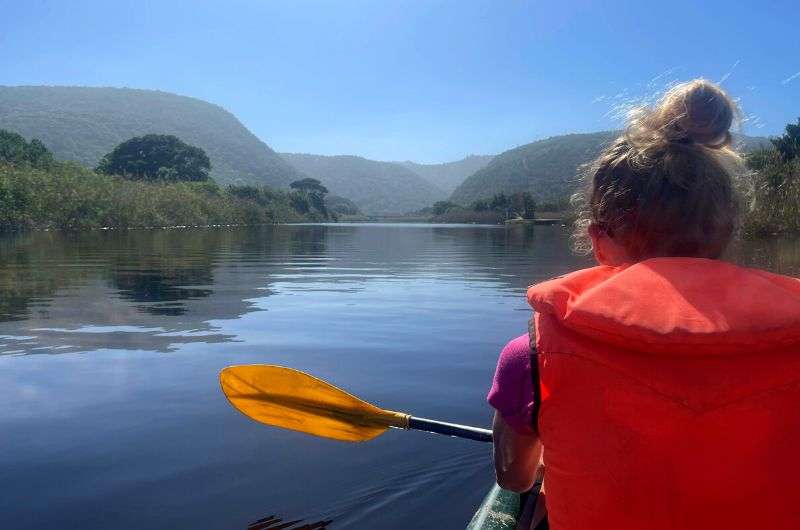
(425, 80)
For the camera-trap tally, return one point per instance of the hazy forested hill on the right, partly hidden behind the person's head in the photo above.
(548, 168)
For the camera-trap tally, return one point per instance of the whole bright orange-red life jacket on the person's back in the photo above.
(670, 396)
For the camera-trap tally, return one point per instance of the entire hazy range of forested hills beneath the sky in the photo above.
(83, 124)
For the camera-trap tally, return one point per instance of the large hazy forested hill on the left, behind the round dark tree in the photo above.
(83, 124)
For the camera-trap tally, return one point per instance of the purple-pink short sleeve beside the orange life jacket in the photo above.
(512, 387)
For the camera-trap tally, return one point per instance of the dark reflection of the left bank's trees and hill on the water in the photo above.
(149, 290)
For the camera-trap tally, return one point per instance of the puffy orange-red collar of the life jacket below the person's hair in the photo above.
(676, 305)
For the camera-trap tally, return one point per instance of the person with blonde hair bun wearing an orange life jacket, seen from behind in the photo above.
(665, 387)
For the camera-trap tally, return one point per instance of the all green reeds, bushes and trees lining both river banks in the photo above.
(39, 193)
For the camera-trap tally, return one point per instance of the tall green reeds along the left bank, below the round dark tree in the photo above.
(65, 196)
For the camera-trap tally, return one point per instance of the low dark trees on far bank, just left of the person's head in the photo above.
(499, 208)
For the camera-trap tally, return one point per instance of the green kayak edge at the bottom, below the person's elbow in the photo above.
(506, 510)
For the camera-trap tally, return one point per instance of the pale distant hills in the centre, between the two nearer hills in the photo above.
(375, 187)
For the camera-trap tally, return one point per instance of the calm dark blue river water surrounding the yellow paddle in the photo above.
(111, 342)
